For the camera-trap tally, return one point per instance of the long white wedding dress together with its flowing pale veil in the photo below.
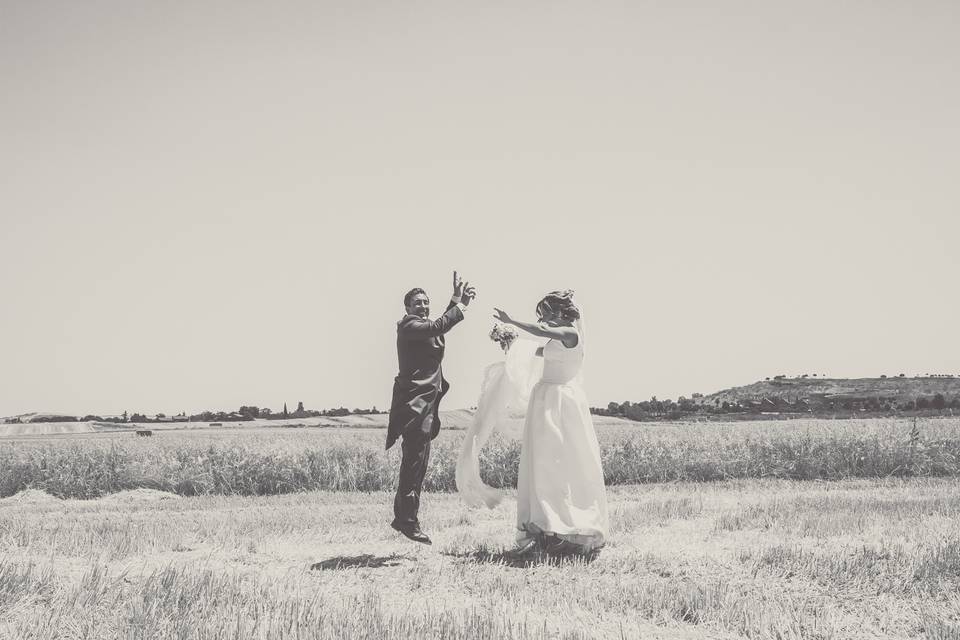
(560, 489)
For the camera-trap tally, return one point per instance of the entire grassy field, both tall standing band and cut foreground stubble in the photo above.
(809, 546)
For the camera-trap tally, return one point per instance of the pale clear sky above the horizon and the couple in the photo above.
(209, 204)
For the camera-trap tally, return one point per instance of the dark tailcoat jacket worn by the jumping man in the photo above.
(418, 387)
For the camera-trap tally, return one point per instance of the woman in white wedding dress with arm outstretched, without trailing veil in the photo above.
(561, 499)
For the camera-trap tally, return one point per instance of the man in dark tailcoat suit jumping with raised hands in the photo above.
(417, 390)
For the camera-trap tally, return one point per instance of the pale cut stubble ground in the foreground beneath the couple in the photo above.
(740, 558)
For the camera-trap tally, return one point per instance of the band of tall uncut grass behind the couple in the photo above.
(250, 464)
